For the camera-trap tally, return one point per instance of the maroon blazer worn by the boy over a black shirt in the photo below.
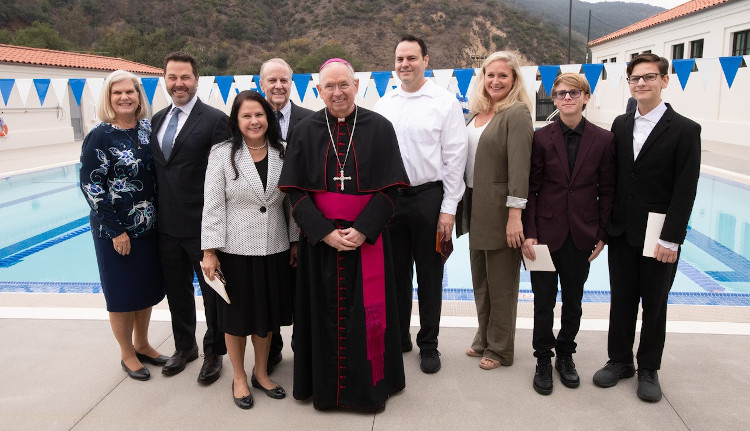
(559, 202)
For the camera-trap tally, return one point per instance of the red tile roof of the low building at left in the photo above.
(48, 57)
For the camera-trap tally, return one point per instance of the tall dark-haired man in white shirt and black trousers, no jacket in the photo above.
(432, 138)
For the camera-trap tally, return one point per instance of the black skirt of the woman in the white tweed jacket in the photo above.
(260, 290)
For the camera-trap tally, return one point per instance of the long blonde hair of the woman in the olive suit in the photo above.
(480, 100)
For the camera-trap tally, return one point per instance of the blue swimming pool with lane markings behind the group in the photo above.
(46, 245)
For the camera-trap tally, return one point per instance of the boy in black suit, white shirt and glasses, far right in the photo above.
(658, 164)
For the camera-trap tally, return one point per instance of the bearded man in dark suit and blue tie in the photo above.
(180, 171)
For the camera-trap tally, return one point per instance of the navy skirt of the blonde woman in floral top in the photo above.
(132, 282)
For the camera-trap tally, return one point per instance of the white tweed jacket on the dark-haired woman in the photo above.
(239, 217)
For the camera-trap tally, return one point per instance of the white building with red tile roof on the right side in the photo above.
(699, 32)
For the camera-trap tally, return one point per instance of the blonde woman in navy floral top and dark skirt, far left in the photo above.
(117, 179)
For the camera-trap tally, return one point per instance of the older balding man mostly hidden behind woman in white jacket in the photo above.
(276, 83)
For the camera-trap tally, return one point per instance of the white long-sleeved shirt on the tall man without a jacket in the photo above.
(432, 138)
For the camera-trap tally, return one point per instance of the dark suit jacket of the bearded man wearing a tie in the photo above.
(180, 179)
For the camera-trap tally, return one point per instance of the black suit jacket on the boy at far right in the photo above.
(663, 178)
